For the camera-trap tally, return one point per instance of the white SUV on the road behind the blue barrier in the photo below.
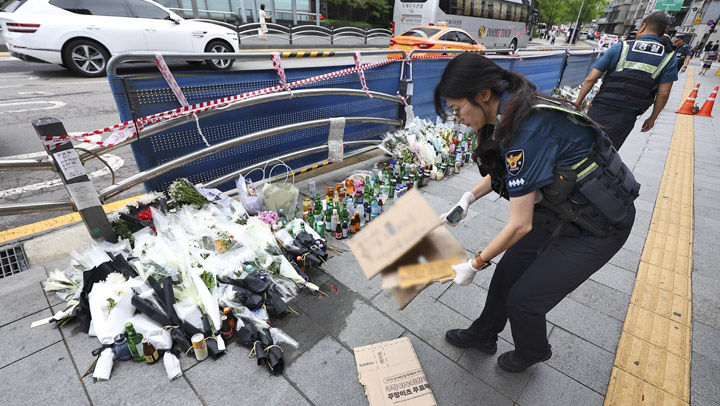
(82, 35)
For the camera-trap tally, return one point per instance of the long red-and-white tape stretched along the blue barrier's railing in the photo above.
(121, 131)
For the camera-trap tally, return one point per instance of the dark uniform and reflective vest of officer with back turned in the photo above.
(634, 69)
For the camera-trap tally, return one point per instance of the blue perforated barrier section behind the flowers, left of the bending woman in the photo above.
(147, 94)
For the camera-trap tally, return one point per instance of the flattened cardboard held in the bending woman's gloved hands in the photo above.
(408, 231)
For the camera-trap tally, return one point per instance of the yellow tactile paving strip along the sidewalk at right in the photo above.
(652, 363)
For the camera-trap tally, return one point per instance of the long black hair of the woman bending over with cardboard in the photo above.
(469, 73)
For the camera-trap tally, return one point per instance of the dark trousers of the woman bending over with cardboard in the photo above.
(526, 286)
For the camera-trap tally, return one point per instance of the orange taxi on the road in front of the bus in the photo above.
(439, 36)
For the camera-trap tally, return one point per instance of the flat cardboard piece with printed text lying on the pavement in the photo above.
(392, 375)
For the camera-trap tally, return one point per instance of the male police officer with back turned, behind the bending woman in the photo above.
(636, 71)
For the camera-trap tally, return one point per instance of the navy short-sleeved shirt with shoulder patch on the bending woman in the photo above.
(546, 140)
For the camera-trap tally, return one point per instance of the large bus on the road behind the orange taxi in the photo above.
(497, 24)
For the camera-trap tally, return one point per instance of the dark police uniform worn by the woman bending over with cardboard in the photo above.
(560, 252)
